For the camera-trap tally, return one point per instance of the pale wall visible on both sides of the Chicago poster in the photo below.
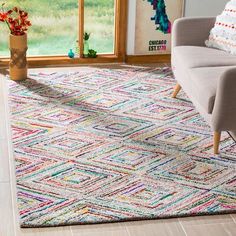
(192, 8)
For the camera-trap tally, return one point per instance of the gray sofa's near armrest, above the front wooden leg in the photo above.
(224, 112)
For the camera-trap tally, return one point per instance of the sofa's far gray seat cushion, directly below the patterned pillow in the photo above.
(194, 56)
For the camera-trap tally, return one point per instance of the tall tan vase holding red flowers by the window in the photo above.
(18, 23)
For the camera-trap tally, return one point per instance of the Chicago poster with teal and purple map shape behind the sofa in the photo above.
(154, 21)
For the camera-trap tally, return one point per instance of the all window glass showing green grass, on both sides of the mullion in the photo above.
(55, 26)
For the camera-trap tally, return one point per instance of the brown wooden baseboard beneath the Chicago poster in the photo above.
(141, 59)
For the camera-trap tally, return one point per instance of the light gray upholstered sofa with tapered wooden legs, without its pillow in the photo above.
(207, 75)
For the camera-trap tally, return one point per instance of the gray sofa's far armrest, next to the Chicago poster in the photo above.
(192, 31)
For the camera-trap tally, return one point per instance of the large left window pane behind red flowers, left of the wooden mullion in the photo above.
(54, 27)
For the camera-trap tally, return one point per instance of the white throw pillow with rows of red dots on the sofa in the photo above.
(223, 35)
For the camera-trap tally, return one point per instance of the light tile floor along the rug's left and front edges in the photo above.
(222, 225)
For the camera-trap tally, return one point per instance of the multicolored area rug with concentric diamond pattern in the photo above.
(96, 145)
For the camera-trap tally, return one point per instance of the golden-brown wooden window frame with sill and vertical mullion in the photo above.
(119, 55)
